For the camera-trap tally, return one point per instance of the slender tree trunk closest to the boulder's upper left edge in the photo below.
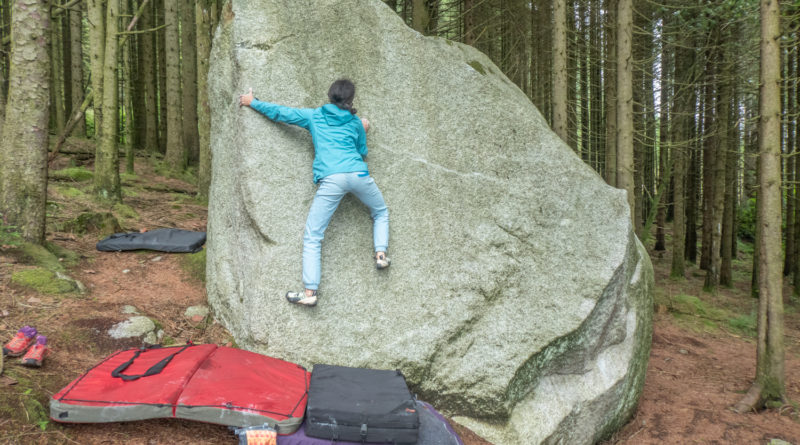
(206, 19)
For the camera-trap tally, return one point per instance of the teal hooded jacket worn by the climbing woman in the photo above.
(340, 142)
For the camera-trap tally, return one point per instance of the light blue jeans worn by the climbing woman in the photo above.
(329, 194)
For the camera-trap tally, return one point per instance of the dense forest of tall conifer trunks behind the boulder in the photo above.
(691, 106)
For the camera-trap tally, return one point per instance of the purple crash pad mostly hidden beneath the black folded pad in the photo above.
(433, 430)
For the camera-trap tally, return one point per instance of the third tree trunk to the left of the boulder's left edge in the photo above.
(175, 158)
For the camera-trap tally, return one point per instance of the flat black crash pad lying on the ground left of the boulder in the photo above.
(163, 240)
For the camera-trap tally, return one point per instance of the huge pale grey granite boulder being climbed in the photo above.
(518, 301)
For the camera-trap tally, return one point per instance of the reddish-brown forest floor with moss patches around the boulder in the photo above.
(702, 359)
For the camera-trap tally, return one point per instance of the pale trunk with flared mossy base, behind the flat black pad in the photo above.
(106, 164)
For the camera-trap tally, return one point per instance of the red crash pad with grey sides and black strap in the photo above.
(199, 382)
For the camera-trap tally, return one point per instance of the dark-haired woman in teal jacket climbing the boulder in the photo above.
(340, 146)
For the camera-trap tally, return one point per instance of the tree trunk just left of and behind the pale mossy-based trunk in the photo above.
(97, 37)
